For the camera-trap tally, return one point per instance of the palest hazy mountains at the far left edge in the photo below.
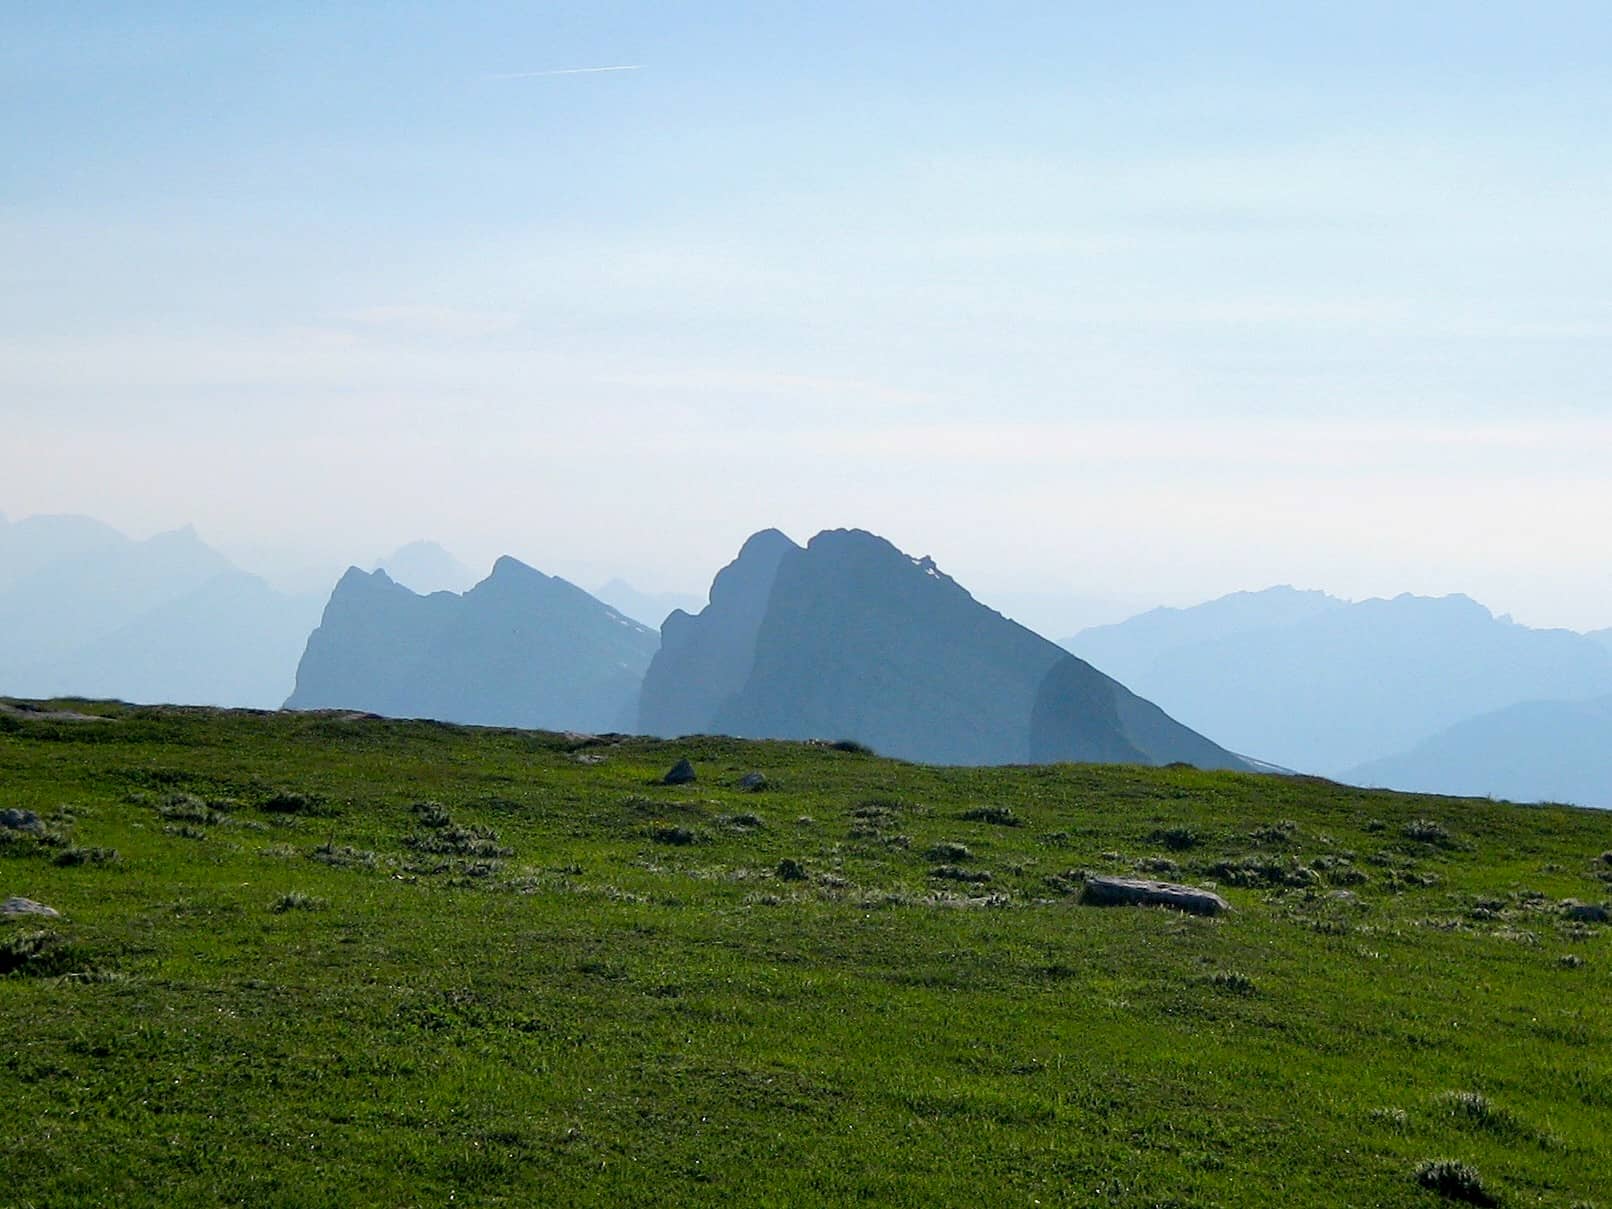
(93, 613)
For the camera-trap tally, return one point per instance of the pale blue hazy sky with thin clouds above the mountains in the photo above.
(1100, 305)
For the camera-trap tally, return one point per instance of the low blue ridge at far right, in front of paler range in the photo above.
(1527, 752)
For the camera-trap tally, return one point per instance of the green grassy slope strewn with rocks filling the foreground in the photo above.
(602, 1018)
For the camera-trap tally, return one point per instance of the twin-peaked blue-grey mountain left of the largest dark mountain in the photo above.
(520, 649)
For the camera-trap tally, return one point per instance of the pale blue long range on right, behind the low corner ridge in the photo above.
(1323, 686)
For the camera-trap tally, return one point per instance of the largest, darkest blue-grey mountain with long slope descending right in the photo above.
(852, 639)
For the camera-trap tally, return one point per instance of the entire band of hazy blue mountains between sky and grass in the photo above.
(845, 638)
